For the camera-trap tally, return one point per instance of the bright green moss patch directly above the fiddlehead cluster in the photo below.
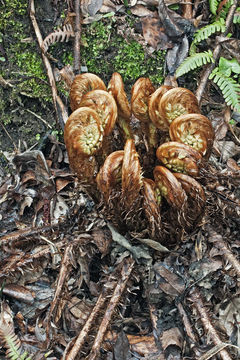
(103, 51)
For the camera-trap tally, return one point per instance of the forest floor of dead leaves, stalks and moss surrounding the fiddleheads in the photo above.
(76, 280)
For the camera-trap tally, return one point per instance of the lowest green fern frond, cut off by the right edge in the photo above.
(229, 87)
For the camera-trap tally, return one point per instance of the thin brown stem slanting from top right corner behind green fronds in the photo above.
(216, 53)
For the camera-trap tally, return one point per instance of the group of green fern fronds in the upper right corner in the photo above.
(226, 73)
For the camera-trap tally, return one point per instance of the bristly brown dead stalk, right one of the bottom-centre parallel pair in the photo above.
(125, 273)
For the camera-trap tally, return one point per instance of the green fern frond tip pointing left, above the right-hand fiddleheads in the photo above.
(194, 61)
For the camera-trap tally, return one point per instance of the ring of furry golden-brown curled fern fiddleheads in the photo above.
(154, 188)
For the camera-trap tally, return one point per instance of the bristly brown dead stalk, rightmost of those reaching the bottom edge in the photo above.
(195, 297)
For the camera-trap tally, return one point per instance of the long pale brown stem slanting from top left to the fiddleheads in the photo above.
(60, 109)
